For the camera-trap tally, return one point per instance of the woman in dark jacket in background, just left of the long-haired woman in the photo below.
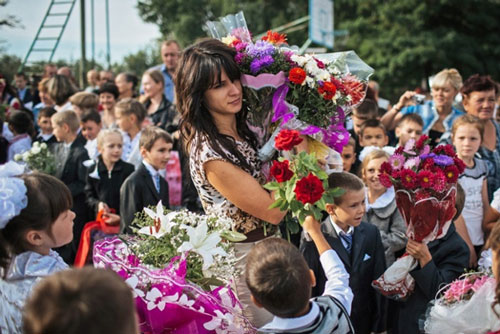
(160, 110)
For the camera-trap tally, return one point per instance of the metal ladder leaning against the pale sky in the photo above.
(50, 32)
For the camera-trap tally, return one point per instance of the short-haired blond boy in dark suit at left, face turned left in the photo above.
(70, 154)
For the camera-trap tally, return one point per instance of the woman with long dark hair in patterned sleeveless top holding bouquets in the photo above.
(223, 151)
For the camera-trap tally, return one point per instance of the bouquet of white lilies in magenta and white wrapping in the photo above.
(180, 266)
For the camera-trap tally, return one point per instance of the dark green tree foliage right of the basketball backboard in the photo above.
(407, 41)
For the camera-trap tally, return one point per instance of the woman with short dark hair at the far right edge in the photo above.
(479, 96)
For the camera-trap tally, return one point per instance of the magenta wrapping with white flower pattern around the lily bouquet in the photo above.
(165, 301)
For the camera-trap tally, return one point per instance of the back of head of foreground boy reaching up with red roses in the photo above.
(278, 277)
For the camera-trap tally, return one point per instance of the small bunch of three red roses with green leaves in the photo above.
(300, 185)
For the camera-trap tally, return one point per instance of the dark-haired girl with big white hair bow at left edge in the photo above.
(35, 217)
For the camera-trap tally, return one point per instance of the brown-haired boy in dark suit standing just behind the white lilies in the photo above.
(146, 186)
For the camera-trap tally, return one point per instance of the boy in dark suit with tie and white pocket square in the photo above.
(359, 246)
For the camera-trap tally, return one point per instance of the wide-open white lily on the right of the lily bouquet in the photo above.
(202, 243)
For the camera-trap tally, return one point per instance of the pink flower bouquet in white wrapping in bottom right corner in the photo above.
(466, 306)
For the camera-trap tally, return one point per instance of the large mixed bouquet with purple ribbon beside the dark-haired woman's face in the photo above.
(306, 93)
